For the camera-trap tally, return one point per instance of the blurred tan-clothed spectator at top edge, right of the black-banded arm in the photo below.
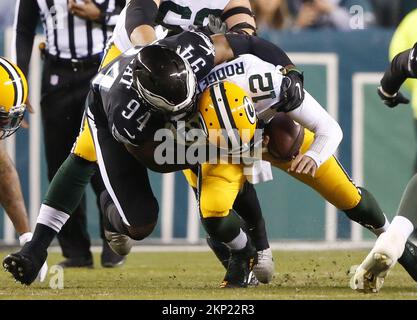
(271, 14)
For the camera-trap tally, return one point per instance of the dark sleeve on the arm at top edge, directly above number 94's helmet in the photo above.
(140, 12)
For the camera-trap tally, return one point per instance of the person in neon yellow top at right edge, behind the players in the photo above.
(404, 38)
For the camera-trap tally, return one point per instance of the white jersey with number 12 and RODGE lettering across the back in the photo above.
(260, 79)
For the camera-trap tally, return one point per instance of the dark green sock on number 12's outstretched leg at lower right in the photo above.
(367, 212)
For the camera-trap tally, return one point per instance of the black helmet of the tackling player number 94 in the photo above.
(165, 81)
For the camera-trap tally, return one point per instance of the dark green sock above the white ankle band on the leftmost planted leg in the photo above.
(69, 183)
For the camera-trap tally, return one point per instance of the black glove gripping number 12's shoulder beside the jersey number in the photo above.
(292, 91)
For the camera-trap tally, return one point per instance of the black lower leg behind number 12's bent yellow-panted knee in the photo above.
(248, 207)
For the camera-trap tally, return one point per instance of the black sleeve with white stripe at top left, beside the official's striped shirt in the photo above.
(26, 19)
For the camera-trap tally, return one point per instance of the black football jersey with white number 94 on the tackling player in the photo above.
(116, 102)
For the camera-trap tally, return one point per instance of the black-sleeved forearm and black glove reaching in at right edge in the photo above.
(403, 66)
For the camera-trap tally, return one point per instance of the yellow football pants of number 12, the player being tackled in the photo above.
(220, 184)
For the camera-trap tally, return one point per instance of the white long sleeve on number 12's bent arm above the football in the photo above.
(327, 132)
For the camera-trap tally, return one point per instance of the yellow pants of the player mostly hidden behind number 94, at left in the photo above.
(84, 145)
